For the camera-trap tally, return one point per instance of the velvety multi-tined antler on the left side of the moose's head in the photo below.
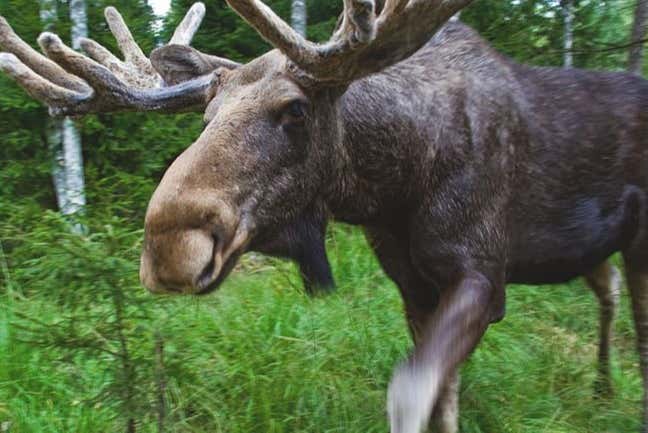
(71, 83)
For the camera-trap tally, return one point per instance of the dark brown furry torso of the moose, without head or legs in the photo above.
(539, 172)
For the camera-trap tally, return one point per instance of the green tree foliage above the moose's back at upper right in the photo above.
(531, 31)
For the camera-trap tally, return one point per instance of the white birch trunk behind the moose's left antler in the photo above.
(73, 156)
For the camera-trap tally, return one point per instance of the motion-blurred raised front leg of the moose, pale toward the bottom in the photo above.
(446, 339)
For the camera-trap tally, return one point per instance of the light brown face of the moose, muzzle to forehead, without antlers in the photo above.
(252, 169)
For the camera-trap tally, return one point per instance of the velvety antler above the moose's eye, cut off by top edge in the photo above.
(364, 41)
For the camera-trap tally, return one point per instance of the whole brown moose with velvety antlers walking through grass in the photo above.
(467, 171)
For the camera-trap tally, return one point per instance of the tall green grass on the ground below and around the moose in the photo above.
(260, 356)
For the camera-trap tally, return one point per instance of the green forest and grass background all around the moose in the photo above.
(84, 348)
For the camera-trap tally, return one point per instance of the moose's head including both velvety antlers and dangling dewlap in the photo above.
(271, 156)
